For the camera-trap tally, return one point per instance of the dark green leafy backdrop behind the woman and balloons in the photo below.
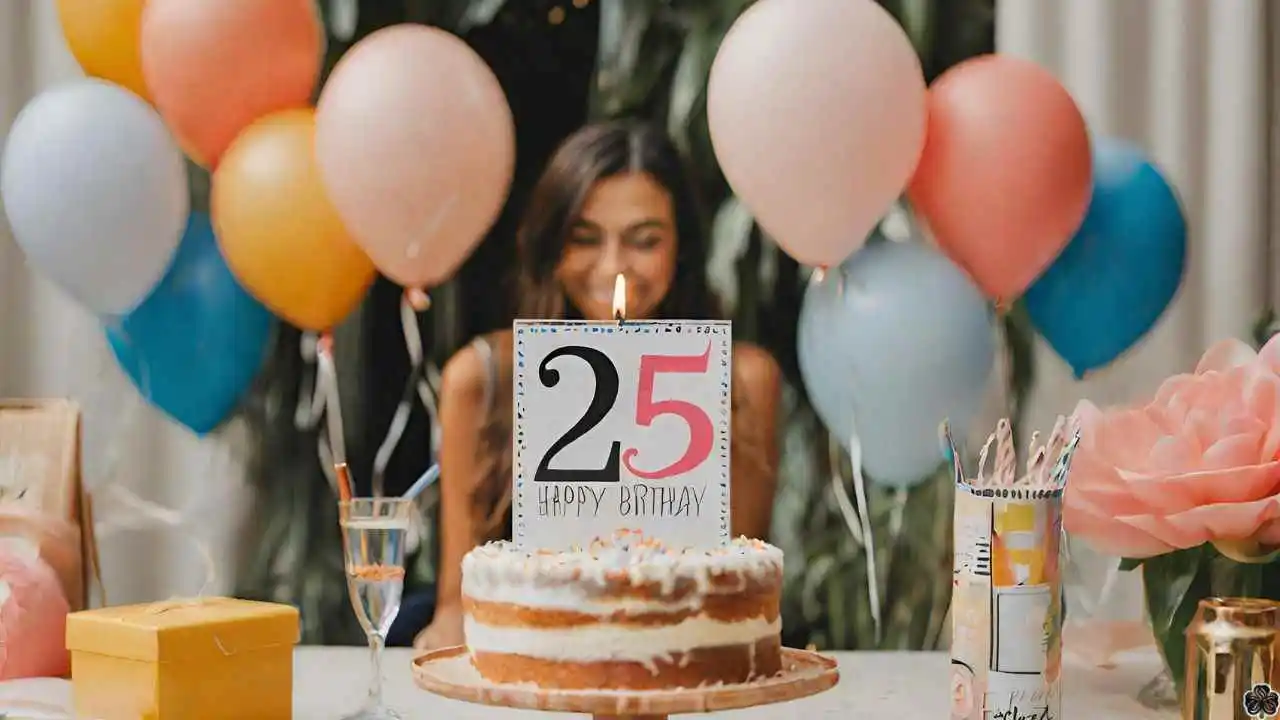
(564, 63)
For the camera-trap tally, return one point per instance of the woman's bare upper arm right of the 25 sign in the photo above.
(755, 464)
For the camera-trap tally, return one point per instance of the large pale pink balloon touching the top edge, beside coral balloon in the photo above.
(817, 116)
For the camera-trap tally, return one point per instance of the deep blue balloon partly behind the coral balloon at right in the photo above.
(1121, 271)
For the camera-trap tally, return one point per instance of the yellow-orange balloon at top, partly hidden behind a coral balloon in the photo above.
(103, 35)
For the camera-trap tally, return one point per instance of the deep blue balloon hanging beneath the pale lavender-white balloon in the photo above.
(199, 340)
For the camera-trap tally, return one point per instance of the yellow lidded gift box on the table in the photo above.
(185, 660)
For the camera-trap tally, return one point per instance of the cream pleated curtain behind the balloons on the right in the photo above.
(1191, 81)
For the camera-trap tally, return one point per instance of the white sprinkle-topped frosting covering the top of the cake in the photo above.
(502, 572)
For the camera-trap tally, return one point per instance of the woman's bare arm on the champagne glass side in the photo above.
(463, 393)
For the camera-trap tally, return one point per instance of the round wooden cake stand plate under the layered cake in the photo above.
(450, 673)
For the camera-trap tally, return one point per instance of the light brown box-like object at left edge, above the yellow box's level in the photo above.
(40, 477)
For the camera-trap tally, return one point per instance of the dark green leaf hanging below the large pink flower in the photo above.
(1176, 584)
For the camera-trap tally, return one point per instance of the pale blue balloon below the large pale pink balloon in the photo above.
(892, 344)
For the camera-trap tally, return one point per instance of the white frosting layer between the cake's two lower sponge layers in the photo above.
(619, 644)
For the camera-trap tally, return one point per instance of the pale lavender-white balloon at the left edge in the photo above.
(95, 190)
